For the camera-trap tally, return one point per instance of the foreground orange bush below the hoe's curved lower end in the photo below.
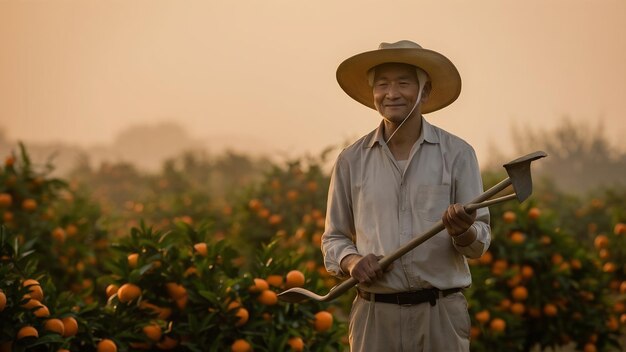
(202, 295)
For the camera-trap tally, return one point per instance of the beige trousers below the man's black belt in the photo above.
(444, 327)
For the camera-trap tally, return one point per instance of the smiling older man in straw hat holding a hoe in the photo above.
(393, 184)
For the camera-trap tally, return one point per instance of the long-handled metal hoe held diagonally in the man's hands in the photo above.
(519, 177)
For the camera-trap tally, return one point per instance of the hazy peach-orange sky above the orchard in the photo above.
(263, 71)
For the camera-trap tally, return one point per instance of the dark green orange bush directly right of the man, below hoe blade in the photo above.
(539, 285)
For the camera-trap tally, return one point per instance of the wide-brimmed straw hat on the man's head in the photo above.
(444, 77)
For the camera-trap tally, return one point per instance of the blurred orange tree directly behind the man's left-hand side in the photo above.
(289, 205)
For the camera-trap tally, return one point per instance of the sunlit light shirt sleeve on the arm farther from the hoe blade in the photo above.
(337, 240)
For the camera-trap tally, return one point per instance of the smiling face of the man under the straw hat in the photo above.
(395, 90)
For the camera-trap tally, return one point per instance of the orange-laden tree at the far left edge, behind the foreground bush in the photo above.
(49, 218)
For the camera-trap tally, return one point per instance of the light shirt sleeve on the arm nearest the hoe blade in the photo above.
(468, 185)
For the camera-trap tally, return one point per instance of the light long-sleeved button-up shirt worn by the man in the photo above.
(376, 206)
